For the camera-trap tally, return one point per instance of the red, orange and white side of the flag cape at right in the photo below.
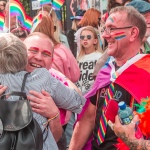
(134, 76)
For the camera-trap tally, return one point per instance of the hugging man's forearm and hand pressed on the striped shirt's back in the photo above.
(43, 104)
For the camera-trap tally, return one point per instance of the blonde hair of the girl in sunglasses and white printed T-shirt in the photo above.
(97, 45)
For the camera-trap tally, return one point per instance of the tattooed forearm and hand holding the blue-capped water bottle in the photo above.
(127, 134)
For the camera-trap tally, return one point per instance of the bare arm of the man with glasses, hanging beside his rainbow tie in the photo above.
(83, 129)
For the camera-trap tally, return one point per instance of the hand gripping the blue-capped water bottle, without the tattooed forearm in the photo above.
(123, 131)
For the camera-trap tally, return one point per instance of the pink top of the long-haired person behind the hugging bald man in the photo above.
(65, 62)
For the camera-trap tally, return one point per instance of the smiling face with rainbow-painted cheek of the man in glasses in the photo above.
(118, 40)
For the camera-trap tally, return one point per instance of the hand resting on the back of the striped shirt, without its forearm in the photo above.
(42, 103)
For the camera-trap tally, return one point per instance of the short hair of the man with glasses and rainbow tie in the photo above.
(134, 18)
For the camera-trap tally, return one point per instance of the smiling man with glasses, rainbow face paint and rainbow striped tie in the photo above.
(124, 31)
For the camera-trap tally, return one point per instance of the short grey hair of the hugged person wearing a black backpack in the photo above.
(13, 54)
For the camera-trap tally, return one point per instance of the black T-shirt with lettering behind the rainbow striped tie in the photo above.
(110, 137)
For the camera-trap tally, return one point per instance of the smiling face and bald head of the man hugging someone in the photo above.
(40, 52)
